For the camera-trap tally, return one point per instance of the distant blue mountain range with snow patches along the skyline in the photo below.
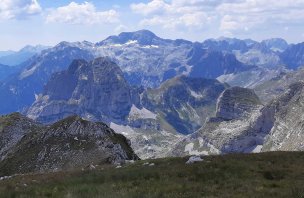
(145, 60)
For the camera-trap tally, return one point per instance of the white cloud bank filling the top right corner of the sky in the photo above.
(259, 13)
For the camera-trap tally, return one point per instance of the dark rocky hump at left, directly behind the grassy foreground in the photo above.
(67, 144)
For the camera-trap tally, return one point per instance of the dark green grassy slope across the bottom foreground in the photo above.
(277, 174)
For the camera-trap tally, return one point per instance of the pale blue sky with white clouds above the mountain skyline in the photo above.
(49, 22)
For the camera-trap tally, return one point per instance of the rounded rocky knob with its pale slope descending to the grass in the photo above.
(230, 130)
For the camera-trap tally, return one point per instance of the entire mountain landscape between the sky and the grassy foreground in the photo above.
(138, 96)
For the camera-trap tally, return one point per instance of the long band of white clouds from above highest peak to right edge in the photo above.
(229, 16)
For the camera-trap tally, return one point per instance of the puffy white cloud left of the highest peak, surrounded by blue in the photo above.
(84, 13)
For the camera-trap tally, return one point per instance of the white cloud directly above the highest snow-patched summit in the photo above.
(174, 14)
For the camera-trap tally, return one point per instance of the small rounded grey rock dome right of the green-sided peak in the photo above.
(236, 102)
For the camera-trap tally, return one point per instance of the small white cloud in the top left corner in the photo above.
(20, 9)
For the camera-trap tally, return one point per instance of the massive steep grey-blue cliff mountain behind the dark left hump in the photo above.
(95, 90)
